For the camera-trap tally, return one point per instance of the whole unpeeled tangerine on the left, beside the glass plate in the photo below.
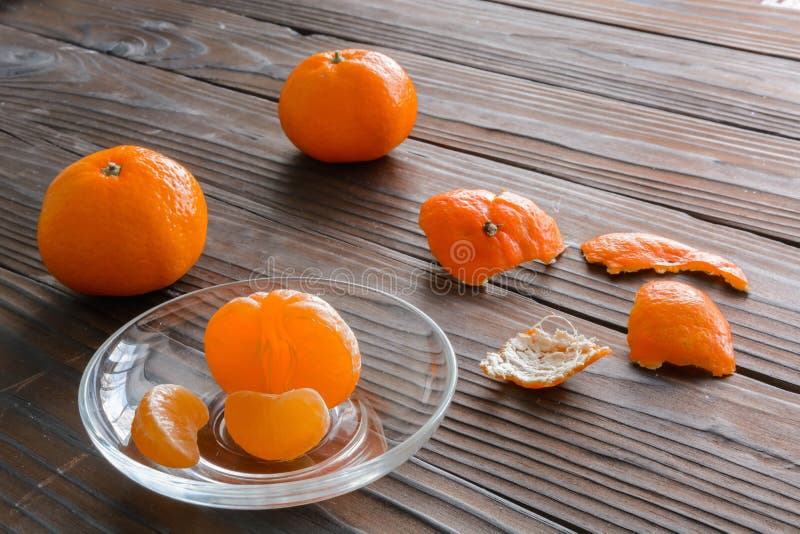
(122, 221)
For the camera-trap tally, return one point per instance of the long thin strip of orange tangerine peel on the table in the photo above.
(631, 251)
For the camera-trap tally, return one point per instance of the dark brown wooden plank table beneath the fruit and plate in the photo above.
(679, 117)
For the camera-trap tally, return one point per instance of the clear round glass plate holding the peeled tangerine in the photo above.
(408, 378)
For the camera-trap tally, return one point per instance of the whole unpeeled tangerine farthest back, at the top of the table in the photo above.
(347, 105)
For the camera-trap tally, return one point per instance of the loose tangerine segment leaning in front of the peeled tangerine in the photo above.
(277, 427)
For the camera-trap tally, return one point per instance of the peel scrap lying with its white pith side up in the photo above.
(536, 359)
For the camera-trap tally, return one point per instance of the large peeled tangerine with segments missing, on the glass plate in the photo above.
(282, 340)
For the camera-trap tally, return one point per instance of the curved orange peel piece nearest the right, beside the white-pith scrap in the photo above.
(676, 323)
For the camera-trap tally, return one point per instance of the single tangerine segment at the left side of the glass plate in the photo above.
(165, 425)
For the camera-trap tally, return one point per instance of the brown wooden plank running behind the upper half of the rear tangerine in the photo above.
(714, 172)
